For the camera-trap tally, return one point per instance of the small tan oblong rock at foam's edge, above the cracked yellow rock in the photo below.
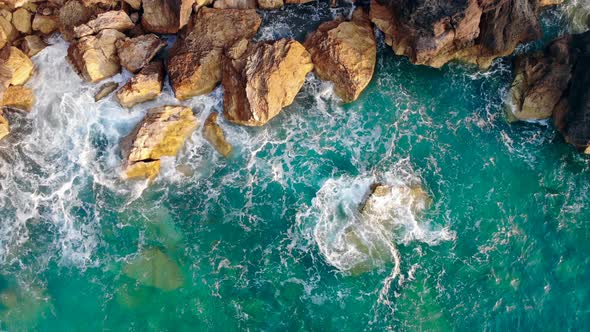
(146, 85)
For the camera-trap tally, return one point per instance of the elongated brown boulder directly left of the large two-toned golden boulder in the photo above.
(195, 64)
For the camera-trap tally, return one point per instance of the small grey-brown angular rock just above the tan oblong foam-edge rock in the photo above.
(139, 51)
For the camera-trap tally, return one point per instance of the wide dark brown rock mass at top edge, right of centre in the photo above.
(432, 32)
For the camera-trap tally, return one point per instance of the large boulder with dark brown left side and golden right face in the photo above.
(262, 80)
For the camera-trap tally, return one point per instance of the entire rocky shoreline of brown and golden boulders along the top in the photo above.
(214, 45)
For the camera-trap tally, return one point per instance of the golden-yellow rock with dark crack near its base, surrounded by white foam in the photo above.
(161, 133)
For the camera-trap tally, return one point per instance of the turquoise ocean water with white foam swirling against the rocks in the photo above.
(271, 238)
